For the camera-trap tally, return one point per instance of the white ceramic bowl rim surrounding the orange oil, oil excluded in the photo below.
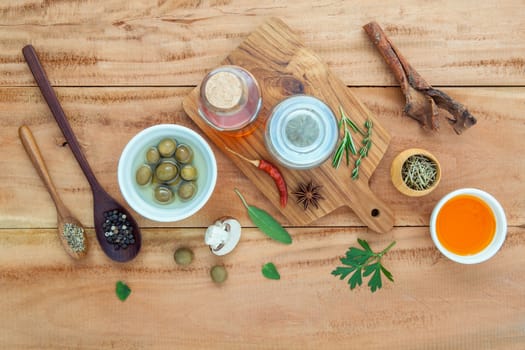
(499, 236)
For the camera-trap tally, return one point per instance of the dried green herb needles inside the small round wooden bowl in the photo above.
(419, 172)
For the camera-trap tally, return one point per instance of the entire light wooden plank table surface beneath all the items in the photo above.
(121, 66)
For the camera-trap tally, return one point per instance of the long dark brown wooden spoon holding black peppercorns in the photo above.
(103, 203)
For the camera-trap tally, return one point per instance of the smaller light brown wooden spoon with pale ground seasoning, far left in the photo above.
(64, 216)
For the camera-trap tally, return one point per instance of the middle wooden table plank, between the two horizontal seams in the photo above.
(480, 158)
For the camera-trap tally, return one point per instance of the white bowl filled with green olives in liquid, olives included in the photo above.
(141, 198)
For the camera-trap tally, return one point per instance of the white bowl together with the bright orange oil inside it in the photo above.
(468, 226)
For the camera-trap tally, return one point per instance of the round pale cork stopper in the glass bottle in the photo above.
(223, 90)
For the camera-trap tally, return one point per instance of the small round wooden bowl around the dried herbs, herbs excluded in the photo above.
(397, 166)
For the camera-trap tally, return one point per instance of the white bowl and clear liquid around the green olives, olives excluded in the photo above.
(140, 198)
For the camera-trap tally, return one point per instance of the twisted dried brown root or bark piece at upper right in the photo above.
(421, 97)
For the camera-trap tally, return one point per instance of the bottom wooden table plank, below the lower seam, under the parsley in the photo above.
(51, 302)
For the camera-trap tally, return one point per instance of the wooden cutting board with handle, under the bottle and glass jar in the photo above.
(283, 66)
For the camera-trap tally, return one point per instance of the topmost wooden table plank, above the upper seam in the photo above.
(99, 42)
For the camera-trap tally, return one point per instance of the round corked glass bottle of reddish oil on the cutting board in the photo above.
(230, 100)
